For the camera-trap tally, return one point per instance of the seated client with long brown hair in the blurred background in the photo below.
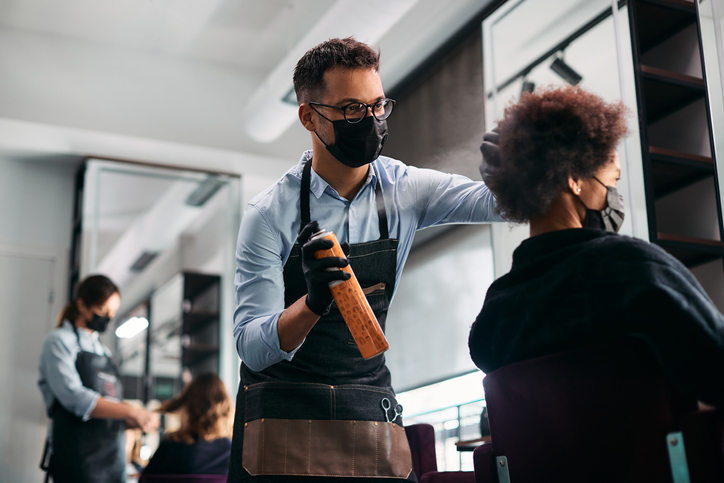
(202, 445)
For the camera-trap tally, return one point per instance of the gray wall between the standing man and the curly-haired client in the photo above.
(438, 124)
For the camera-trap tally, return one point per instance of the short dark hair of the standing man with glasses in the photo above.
(346, 53)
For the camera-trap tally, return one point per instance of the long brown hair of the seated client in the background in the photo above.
(207, 410)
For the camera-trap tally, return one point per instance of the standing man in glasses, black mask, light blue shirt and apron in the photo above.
(310, 405)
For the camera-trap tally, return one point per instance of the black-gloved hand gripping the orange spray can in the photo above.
(319, 298)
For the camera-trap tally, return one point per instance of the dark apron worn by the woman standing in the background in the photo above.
(90, 451)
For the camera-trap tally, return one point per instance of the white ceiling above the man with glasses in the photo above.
(170, 81)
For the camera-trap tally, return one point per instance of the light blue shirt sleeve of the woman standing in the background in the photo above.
(57, 364)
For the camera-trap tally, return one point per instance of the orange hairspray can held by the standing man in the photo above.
(353, 304)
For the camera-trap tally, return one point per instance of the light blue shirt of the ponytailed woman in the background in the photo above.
(59, 380)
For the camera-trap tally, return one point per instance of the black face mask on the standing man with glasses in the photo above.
(357, 144)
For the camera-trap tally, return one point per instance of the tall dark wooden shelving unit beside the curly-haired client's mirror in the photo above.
(675, 127)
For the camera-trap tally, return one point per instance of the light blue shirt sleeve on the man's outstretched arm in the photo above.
(451, 198)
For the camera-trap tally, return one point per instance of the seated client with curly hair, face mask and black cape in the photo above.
(576, 282)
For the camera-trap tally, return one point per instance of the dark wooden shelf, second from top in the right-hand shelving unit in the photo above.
(666, 92)
